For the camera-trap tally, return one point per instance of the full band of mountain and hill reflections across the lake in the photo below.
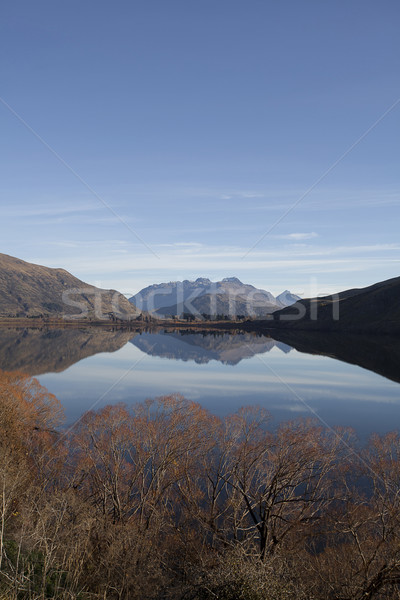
(36, 351)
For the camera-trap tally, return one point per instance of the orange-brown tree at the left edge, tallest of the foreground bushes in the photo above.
(28, 418)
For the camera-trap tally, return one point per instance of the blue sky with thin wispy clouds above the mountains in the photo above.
(158, 140)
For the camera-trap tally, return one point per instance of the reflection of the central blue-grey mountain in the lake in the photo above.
(188, 346)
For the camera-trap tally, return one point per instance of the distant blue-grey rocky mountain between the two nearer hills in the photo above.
(203, 296)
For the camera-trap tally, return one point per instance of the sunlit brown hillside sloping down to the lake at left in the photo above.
(28, 290)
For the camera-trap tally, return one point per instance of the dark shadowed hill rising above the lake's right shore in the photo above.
(374, 309)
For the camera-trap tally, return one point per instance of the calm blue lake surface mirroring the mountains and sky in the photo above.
(88, 369)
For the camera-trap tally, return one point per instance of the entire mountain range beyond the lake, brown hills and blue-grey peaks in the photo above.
(30, 290)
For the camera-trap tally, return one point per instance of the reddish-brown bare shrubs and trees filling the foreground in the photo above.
(165, 500)
